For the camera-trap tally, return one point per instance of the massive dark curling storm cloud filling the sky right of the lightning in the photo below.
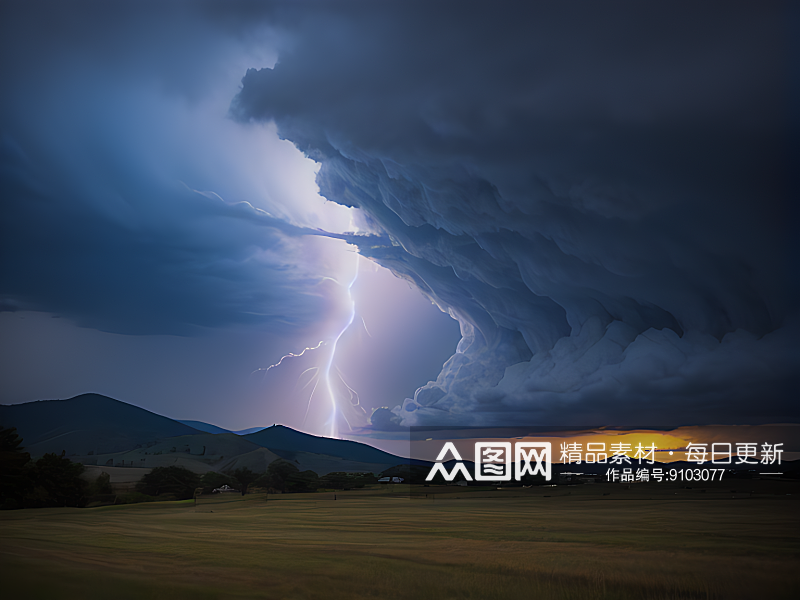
(598, 195)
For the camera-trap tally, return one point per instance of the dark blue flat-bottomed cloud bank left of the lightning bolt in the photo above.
(154, 259)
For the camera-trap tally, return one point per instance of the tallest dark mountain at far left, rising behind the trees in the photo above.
(89, 423)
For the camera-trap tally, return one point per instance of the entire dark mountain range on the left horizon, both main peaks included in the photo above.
(97, 430)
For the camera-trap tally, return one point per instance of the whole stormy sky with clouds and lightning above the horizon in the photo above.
(470, 214)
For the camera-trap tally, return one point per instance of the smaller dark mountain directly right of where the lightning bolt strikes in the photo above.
(285, 441)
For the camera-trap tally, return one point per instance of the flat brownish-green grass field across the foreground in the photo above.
(653, 541)
